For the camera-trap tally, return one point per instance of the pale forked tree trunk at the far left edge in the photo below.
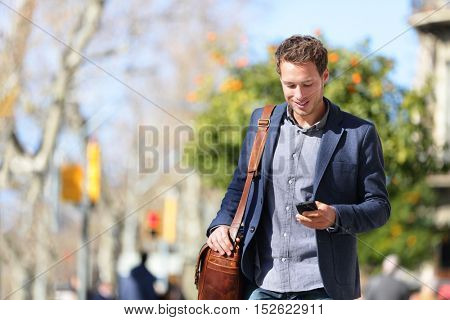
(32, 171)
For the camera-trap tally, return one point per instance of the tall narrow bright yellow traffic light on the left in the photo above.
(93, 171)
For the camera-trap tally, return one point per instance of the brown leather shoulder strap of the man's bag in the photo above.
(253, 163)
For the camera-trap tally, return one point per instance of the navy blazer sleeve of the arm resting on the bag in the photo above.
(233, 195)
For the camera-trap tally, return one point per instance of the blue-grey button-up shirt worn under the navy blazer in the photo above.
(286, 253)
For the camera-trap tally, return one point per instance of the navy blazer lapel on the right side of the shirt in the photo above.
(330, 139)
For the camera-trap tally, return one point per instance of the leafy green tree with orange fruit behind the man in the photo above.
(359, 83)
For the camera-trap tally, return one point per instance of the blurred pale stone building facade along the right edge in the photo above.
(431, 20)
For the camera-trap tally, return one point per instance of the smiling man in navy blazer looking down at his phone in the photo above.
(314, 151)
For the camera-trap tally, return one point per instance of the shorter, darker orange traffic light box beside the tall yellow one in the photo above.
(71, 183)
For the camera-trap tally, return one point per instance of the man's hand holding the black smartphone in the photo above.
(322, 218)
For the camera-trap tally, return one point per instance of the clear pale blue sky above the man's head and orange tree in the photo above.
(343, 23)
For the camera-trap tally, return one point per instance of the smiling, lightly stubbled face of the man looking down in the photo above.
(303, 90)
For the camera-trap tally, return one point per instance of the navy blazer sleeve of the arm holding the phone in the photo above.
(374, 209)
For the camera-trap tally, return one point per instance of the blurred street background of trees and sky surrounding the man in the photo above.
(121, 124)
